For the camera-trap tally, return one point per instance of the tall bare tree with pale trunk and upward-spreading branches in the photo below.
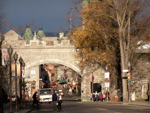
(125, 12)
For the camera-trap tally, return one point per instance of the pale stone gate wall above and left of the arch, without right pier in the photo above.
(36, 52)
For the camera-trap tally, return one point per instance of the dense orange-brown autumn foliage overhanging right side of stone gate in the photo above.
(96, 40)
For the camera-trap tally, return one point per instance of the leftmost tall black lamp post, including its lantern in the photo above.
(10, 51)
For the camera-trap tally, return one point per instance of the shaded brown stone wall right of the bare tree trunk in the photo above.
(140, 75)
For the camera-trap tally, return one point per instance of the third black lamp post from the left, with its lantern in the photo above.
(20, 60)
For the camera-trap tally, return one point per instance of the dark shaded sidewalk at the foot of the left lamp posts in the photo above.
(27, 109)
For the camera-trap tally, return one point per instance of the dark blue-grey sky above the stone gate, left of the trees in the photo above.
(51, 15)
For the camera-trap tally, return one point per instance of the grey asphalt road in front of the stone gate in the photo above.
(91, 107)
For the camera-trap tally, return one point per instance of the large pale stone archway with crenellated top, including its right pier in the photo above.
(50, 50)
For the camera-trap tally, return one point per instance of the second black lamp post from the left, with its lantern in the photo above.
(15, 58)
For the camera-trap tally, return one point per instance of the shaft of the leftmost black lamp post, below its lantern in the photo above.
(10, 87)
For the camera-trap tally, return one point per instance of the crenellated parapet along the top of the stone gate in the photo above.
(14, 39)
